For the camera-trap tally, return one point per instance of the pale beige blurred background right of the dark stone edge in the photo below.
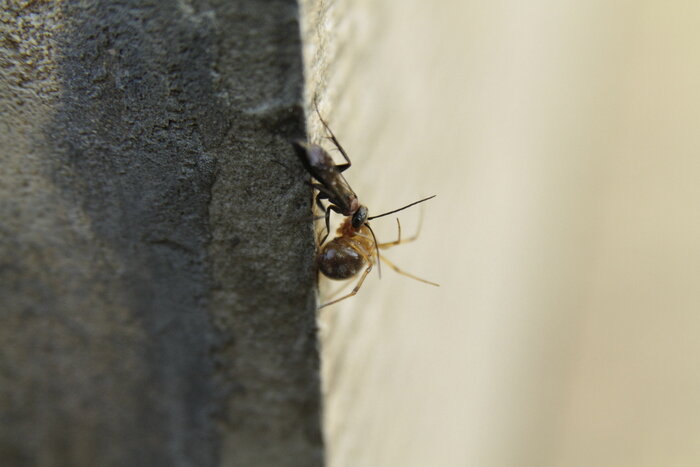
(562, 140)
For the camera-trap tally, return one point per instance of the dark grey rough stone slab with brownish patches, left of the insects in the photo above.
(156, 279)
